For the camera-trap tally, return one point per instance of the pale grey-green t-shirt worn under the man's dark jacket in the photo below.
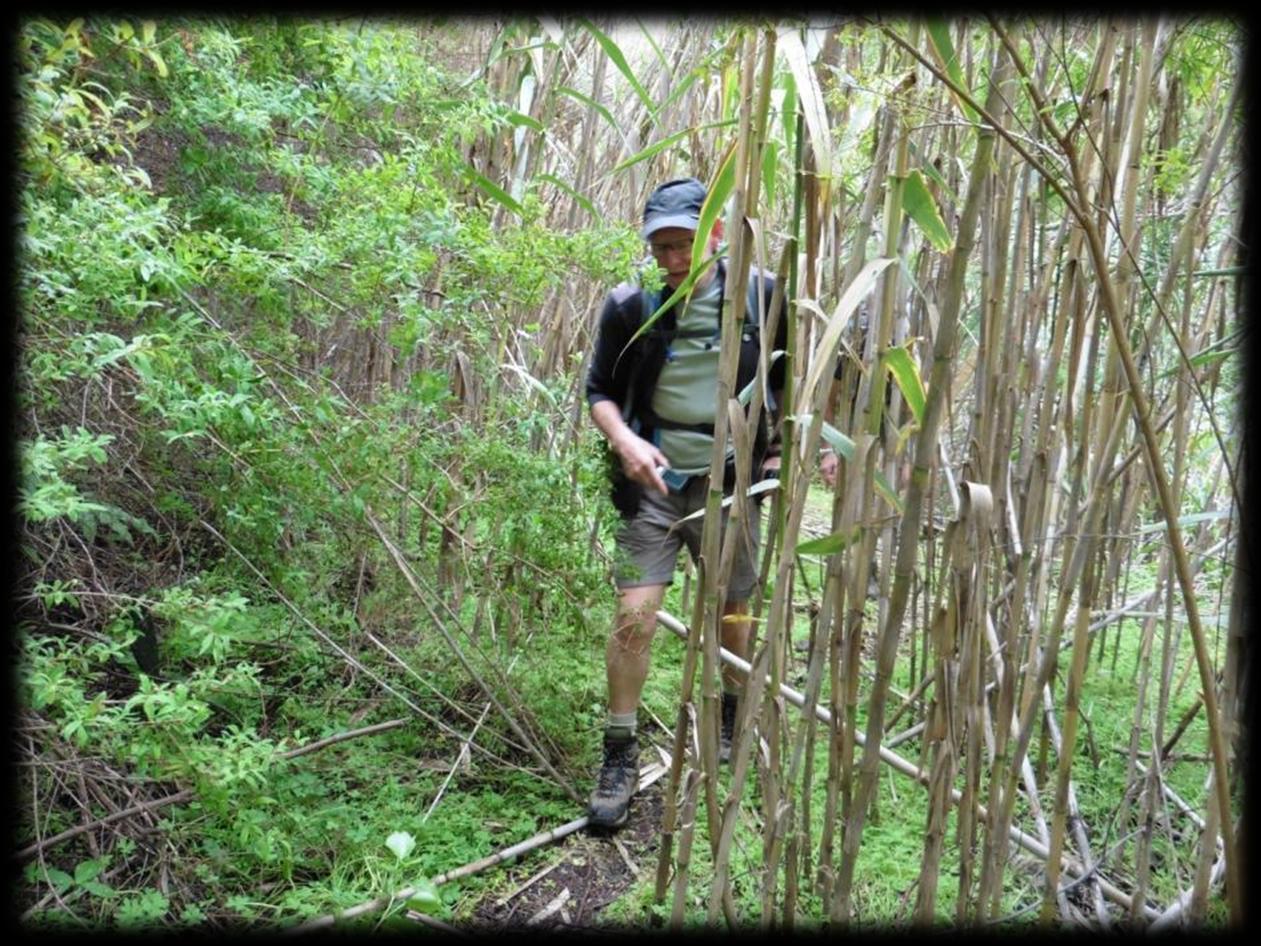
(688, 387)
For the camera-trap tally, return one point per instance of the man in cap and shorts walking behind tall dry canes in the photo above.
(655, 406)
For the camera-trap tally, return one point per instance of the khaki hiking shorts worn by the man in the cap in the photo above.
(648, 551)
